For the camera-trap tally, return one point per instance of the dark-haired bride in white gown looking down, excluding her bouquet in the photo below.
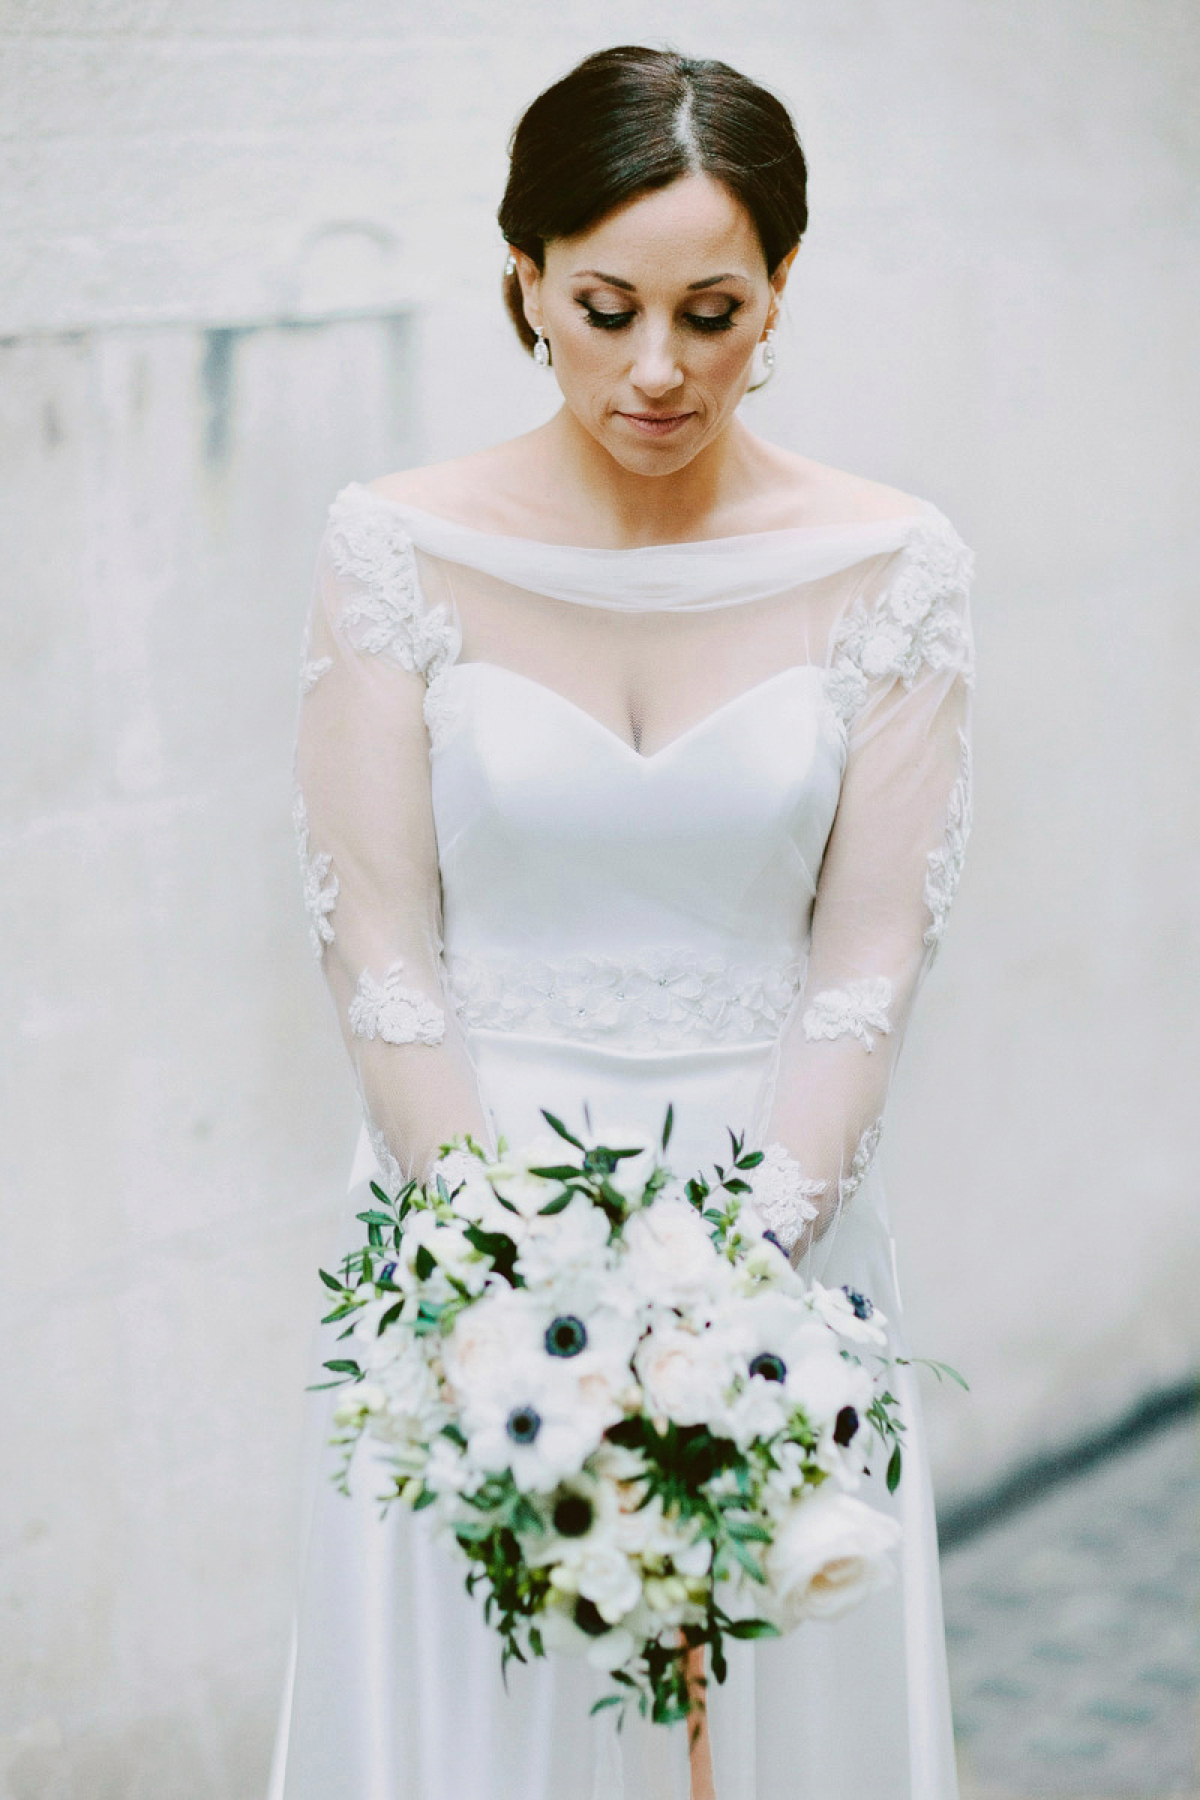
(632, 769)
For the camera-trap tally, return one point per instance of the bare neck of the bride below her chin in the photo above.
(629, 508)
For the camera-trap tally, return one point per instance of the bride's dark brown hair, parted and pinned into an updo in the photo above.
(631, 120)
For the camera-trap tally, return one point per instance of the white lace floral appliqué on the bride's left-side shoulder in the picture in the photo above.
(388, 615)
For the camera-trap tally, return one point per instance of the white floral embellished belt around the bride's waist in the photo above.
(649, 1002)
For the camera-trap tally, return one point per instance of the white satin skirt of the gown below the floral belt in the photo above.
(395, 1691)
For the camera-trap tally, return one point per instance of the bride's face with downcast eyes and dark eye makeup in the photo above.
(652, 318)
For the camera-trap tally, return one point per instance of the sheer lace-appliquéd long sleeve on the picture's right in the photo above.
(900, 676)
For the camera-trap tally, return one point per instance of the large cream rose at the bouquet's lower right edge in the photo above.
(830, 1552)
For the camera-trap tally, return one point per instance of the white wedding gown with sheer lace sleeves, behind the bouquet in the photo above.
(625, 827)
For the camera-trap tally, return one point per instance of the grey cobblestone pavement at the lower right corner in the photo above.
(1075, 1635)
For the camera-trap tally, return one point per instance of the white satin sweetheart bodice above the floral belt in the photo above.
(557, 838)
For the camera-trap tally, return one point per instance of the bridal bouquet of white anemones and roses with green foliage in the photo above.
(631, 1414)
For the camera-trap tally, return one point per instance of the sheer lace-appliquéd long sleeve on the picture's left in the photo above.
(364, 818)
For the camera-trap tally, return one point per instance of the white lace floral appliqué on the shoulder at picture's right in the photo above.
(917, 622)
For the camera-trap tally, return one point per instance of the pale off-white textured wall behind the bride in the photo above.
(249, 253)
